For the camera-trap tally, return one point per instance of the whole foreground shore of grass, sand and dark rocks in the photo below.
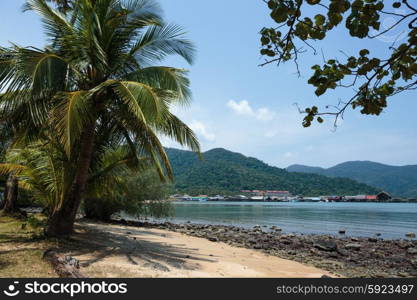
(121, 248)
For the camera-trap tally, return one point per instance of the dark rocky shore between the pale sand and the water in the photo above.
(346, 256)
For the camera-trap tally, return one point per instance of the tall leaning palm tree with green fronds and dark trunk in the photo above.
(98, 80)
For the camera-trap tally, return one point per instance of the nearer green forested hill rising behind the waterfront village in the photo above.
(226, 172)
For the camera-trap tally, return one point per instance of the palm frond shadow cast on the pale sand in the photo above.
(100, 241)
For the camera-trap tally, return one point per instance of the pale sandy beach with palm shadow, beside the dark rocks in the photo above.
(120, 251)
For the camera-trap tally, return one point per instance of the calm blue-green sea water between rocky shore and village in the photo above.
(391, 220)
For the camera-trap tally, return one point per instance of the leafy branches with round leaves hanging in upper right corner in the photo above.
(373, 79)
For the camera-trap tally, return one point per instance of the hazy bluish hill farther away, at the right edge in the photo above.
(399, 181)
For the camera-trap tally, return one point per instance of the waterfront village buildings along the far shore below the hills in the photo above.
(286, 196)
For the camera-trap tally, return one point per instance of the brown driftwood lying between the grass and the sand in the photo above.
(65, 266)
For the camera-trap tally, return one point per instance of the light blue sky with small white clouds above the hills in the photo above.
(248, 109)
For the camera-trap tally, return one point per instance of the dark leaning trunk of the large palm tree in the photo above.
(61, 222)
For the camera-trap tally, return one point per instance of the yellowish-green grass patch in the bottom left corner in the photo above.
(21, 248)
